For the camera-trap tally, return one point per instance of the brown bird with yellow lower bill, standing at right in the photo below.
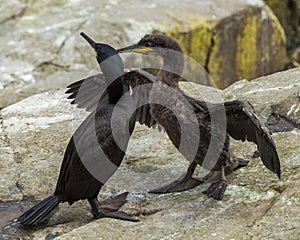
(241, 121)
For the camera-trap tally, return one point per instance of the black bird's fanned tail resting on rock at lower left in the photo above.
(39, 212)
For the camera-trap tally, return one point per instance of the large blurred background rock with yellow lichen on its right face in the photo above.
(42, 50)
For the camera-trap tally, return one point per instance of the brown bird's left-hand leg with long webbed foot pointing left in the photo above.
(183, 183)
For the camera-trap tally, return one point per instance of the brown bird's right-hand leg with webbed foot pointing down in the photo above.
(218, 188)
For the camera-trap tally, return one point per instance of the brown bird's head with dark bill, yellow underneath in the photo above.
(152, 44)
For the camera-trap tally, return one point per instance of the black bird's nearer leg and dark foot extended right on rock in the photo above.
(99, 213)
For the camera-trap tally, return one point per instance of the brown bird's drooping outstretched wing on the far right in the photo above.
(243, 124)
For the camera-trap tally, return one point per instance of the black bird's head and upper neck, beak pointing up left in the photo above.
(107, 57)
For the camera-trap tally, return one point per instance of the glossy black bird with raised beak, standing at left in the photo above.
(93, 154)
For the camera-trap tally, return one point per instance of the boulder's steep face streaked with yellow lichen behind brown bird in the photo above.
(245, 45)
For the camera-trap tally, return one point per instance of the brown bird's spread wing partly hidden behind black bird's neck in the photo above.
(91, 91)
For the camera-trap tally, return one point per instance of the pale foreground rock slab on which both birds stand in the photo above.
(35, 132)
